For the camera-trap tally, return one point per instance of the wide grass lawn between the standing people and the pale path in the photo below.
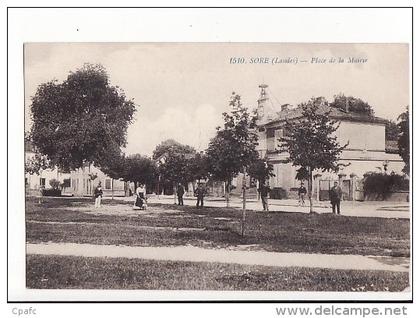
(166, 225)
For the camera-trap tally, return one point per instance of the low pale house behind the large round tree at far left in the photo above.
(79, 182)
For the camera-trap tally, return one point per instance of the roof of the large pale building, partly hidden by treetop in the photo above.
(335, 113)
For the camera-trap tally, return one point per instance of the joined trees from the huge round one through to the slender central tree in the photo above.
(84, 119)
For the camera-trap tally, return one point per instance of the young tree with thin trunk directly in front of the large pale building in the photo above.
(311, 143)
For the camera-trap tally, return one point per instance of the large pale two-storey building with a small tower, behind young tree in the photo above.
(367, 148)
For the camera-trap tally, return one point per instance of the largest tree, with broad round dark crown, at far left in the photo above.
(81, 120)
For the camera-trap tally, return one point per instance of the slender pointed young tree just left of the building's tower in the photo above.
(233, 149)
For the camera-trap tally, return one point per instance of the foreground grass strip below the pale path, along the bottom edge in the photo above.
(46, 272)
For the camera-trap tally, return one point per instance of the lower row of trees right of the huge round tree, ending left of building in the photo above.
(231, 151)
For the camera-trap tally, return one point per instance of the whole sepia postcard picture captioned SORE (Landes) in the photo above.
(240, 167)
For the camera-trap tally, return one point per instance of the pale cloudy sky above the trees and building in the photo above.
(181, 89)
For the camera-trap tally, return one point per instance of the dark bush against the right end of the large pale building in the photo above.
(380, 185)
